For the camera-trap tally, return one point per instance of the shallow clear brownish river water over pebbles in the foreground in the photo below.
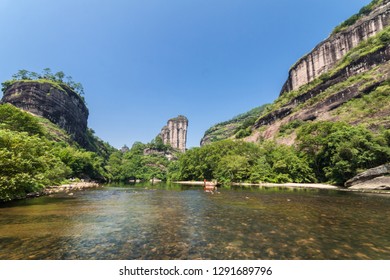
(183, 222)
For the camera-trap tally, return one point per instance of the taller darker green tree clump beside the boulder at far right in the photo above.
(337, 151)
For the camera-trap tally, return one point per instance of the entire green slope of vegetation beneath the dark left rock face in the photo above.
(32, 158)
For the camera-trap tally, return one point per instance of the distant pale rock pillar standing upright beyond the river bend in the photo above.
(175, 133)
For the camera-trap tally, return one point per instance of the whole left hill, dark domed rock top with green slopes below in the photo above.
(44, 138)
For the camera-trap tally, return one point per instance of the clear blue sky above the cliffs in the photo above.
(142, 62)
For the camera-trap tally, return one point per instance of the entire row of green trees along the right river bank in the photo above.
(326, 152)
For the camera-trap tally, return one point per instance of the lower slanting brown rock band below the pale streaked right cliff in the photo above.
(377, 61)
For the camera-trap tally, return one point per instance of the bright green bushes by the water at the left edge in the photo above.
(26, 164)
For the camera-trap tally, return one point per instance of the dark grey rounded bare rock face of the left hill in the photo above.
(59, 104)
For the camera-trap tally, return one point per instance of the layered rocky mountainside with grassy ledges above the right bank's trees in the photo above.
(344, 78)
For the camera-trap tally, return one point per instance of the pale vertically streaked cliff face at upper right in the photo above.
(325, 55)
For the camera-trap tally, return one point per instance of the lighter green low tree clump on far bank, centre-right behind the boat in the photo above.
(237, 161)
